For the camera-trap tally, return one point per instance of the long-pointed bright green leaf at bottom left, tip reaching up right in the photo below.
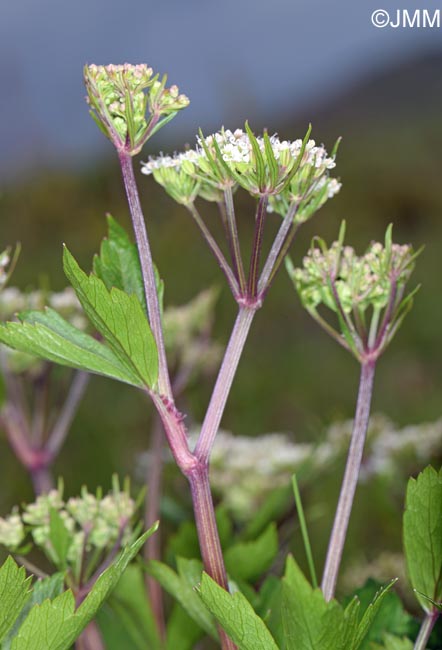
(55, 624)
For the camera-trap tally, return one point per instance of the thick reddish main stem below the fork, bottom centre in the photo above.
(208, 533)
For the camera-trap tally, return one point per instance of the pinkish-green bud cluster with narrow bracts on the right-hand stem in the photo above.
(365, 292)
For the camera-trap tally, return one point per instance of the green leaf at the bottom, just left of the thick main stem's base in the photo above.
(183, 590)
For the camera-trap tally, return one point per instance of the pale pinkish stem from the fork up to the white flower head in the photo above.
(224, 383)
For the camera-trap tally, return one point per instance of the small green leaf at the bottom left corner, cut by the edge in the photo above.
(14, 593)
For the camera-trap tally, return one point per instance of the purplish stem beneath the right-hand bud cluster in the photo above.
(348, 488)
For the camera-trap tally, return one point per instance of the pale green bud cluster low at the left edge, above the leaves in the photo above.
(90, 523)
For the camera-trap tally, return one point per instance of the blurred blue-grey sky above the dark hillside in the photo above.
(236, 59)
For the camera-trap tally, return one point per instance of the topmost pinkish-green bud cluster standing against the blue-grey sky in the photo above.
(128, 101)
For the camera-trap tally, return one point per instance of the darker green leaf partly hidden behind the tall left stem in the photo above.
(118, 264)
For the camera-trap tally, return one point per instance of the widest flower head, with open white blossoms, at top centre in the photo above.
(289, 173)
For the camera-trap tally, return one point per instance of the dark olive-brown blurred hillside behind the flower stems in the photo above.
(292, 377)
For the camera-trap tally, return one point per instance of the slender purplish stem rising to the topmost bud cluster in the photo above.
(147, 268)
